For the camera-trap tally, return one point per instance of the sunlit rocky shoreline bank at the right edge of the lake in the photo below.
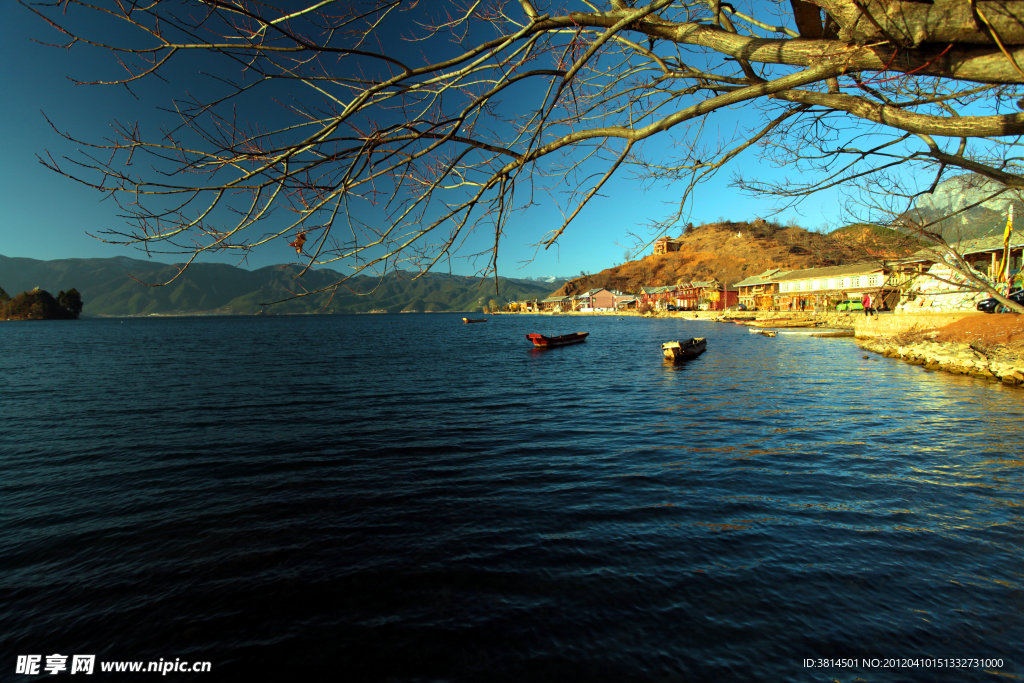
(988, 362)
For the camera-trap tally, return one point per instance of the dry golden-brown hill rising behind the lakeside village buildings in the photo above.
(731, 252)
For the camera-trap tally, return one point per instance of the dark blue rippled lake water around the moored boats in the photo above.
(407, 498)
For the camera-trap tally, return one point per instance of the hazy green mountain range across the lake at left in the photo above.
(108, 289)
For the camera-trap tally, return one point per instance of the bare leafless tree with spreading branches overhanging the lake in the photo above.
(389, 130)
